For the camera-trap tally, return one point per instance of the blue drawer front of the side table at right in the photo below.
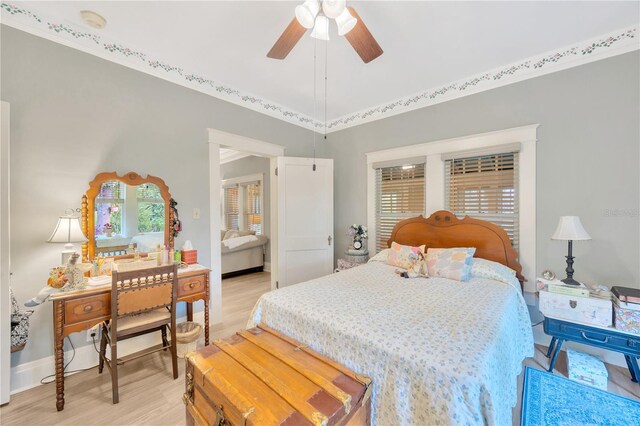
(611, 340)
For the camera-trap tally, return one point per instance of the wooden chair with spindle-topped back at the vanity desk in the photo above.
(142, 301)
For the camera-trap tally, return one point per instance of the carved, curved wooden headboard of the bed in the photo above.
(444, 230)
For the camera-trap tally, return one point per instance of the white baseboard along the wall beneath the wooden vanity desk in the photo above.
(28, 375)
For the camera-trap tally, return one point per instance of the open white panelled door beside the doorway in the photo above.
(305, 219)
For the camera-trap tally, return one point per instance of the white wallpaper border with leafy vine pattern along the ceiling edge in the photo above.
(615, 43)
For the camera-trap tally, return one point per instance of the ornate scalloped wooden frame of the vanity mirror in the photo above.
(133, 179)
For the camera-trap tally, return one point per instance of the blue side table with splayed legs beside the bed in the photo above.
(606, 338)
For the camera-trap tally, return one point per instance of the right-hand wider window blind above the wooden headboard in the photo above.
(485, 187)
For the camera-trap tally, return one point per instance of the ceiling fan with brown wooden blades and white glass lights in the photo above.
(316, 14)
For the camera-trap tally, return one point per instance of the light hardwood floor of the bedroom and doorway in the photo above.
(149, 396)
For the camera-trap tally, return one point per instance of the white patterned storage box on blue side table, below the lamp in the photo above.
(587, 310)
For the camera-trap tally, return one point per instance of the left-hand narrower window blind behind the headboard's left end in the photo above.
(399, 195)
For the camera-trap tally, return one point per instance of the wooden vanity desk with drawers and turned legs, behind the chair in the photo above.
(80, 310)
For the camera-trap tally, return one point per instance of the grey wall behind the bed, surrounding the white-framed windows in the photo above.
(587, 159)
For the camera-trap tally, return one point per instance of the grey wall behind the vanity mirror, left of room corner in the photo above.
(73, 116)
